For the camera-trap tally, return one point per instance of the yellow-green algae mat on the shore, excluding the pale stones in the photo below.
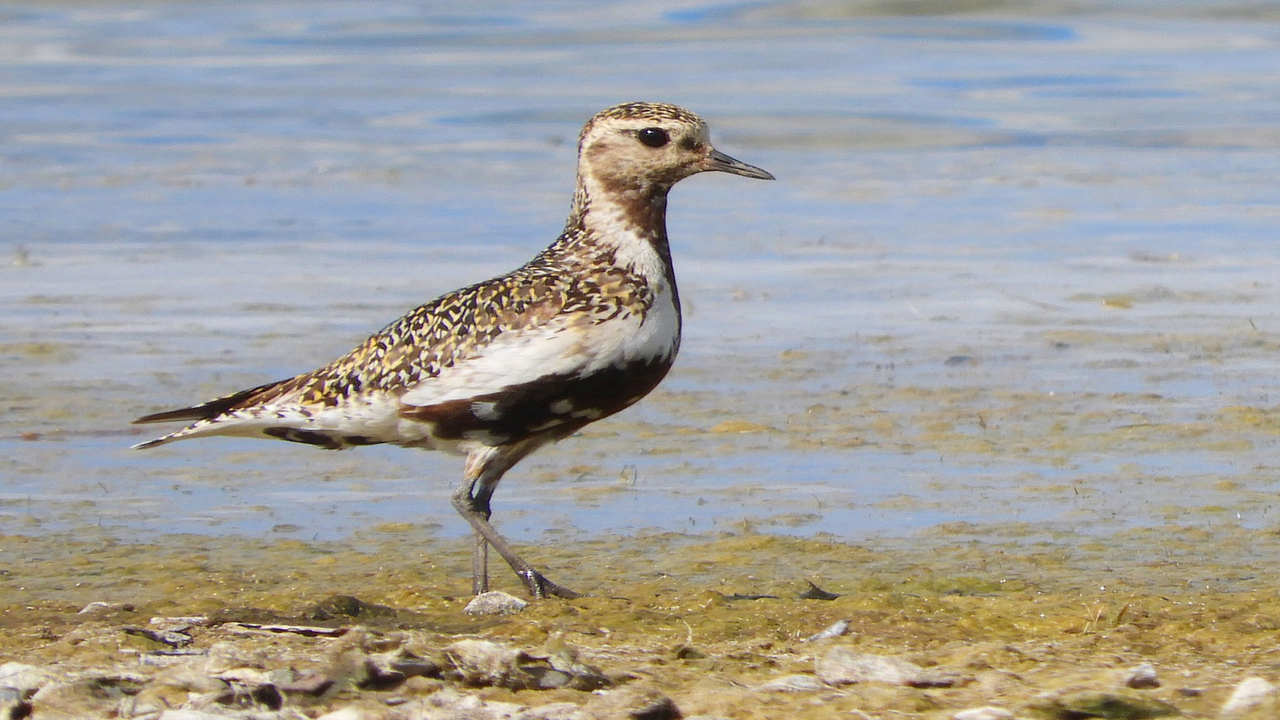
(707, 619)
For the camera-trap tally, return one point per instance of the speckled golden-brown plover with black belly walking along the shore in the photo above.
(495, 371)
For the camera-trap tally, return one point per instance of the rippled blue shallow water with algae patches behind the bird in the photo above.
(1017, 277)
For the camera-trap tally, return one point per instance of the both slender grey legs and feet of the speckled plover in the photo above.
(472, 500)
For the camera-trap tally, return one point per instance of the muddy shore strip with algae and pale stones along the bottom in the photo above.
(715, 625)
